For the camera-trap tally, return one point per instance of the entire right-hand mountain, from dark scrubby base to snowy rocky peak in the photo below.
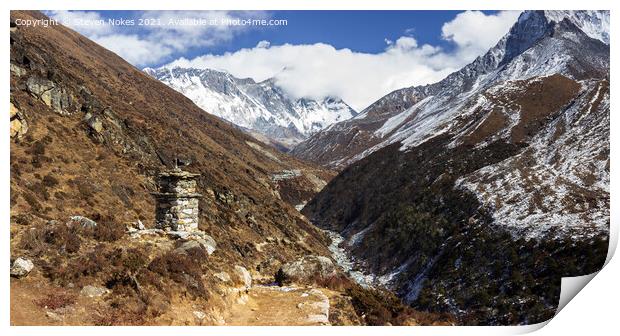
(475, 195)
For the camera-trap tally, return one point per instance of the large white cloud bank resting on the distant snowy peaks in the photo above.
(319, 70)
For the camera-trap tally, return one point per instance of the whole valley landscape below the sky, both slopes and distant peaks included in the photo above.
(457, 202)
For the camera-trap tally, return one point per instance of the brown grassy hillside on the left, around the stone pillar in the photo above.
(89, 134)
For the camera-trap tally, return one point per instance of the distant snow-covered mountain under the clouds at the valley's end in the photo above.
(262, 107)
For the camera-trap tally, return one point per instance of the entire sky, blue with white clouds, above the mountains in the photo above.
(356, 55)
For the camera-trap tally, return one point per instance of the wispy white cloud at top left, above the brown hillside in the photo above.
(167, 32)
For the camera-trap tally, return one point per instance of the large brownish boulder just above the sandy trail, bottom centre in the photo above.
(307, 269)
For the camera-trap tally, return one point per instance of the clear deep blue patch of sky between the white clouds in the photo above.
(363, 31)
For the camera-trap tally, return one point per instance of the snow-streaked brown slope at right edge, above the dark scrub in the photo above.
(564, 187)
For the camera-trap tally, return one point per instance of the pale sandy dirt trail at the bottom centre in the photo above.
(277, 306)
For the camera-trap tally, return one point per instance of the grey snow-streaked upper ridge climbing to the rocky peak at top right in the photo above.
(417, 112)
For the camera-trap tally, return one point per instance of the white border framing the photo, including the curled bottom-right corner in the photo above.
(594, 311)
